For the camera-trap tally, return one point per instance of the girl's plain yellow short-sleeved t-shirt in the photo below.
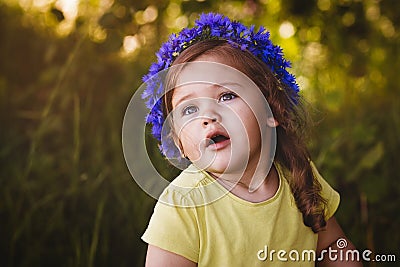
(231, 231)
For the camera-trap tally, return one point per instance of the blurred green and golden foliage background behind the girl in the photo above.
(69, 68)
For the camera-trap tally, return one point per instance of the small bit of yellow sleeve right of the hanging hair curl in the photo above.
(331, 196)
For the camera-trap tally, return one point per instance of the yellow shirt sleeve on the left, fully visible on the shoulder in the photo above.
(174, 229)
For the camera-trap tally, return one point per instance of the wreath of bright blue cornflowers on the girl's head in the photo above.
(211, 26)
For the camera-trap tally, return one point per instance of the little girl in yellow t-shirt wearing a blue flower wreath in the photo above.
(251, 196)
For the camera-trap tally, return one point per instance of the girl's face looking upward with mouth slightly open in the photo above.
(219, 117)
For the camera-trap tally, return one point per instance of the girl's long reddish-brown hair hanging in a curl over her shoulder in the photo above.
(291, 151)
